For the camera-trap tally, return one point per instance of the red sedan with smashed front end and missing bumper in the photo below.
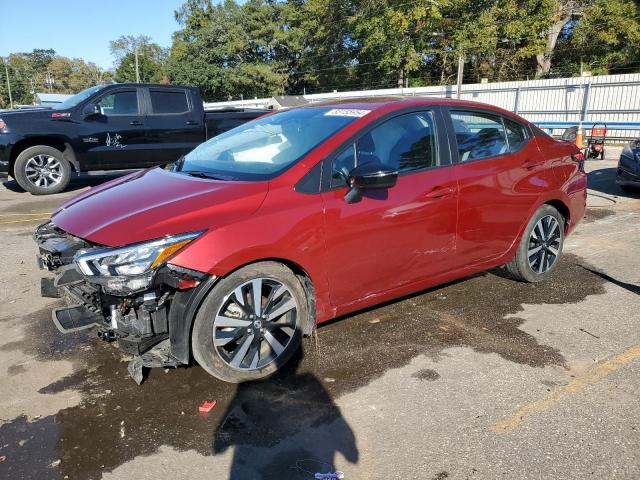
(240, 248)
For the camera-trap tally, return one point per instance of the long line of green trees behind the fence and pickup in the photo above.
(268, 47)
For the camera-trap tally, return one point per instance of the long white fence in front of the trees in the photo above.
(552, 103)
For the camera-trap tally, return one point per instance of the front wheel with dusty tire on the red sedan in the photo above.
(250, 323)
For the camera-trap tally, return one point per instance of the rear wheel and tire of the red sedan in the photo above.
(540, 247)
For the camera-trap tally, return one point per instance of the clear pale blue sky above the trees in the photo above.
(83, 28)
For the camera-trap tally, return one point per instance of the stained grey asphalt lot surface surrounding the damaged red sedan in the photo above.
(482, 378)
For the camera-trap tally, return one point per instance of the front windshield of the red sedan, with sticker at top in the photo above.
(263, 148)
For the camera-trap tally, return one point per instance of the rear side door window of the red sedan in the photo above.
(479, 135)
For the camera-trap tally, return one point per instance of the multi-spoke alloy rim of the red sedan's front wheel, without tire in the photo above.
(255, 323)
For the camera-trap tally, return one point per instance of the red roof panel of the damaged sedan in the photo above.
(402, 101)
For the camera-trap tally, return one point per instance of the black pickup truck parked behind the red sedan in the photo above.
(108, 127)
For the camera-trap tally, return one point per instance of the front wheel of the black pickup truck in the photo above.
(42, 170)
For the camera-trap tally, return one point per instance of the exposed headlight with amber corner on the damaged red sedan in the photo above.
(129, 269)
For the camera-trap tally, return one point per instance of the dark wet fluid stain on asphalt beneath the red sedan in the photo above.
(118, 420)
